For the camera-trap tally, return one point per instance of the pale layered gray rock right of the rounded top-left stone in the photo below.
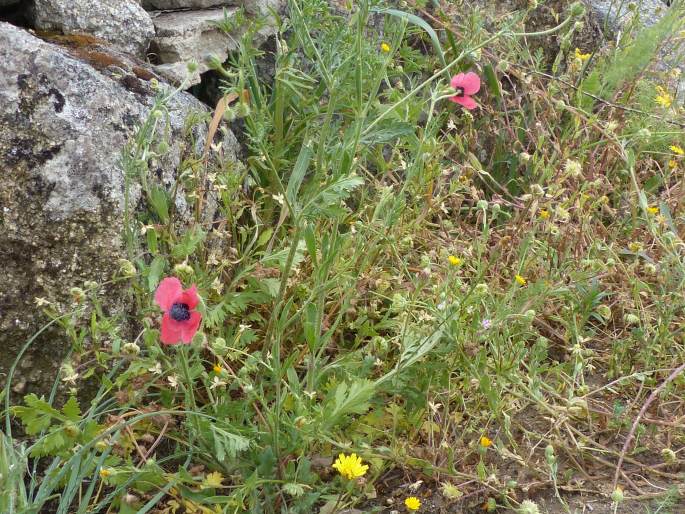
(193, 36)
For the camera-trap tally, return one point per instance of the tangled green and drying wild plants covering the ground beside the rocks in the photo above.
(359, 286)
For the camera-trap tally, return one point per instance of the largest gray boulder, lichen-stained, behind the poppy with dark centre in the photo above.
(63, 125)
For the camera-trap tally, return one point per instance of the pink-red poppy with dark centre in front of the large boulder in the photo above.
(179, 322)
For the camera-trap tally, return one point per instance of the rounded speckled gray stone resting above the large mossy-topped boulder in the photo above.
(123, 23)
